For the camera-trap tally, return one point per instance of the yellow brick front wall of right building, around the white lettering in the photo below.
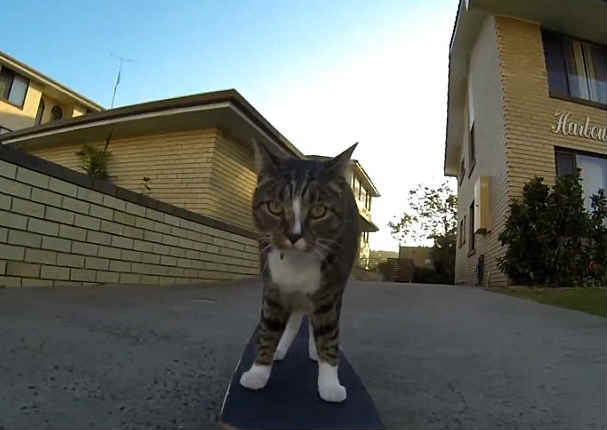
(529, 109)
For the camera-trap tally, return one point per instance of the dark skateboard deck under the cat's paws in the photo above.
(290, 400)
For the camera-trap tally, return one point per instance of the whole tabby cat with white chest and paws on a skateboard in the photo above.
(308, 218)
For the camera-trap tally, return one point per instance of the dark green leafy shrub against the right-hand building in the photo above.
(551, 238)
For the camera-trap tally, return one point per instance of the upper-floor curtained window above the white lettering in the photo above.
(576, 69)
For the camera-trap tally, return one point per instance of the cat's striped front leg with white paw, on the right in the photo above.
(326, 332)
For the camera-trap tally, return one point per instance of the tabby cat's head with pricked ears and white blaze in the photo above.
(299, 204)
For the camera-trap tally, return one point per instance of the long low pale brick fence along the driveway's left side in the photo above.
(58, 228)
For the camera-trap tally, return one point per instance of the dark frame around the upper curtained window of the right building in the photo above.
(556, 66)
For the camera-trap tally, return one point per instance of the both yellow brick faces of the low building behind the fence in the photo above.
(200, 170)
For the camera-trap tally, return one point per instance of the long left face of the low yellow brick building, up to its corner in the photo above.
(178, 165)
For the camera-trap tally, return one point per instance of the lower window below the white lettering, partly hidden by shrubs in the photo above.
(593, 171)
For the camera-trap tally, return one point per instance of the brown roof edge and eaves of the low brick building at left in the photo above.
(225, 108)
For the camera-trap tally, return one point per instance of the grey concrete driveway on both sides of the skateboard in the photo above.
(431, 356)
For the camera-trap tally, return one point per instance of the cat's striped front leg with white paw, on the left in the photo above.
(272, 324)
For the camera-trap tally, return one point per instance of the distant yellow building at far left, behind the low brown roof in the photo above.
(28, 98)
